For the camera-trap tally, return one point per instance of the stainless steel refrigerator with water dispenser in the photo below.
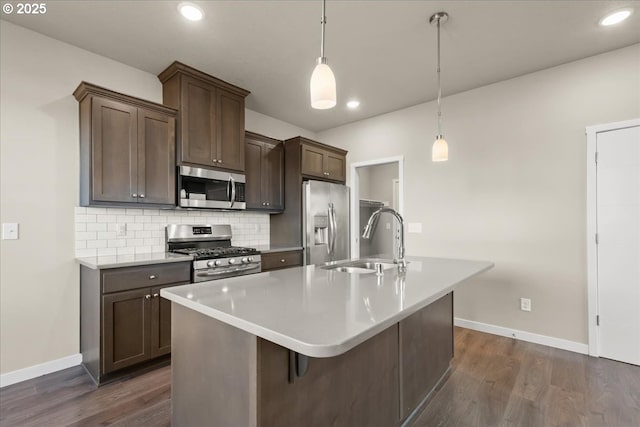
(325, 222)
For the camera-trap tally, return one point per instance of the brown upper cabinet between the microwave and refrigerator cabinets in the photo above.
(264, 160)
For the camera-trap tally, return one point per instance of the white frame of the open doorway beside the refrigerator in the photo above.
(354, 183)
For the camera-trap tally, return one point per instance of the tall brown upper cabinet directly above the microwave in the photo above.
(211, 112)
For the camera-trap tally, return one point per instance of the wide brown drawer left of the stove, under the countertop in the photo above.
(122, 279)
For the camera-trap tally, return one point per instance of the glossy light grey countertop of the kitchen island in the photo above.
(324, 313)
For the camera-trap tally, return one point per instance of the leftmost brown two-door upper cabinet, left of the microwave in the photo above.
(127, 149)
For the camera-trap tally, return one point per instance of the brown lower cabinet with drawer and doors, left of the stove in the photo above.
(125, 324)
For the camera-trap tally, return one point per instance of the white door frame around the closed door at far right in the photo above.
(592, 227)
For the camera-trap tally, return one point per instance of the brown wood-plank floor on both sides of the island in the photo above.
(495, 381)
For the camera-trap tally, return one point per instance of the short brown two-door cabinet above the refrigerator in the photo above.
(321, 161)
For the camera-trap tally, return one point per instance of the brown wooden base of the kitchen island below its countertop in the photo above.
(253, 382)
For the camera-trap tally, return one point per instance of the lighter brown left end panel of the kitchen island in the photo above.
(213, 372)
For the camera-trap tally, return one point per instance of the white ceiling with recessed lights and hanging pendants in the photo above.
(382, 52)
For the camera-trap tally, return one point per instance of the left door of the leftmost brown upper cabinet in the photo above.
(114, 151)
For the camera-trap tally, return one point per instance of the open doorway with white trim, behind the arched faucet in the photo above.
(374, 184)
